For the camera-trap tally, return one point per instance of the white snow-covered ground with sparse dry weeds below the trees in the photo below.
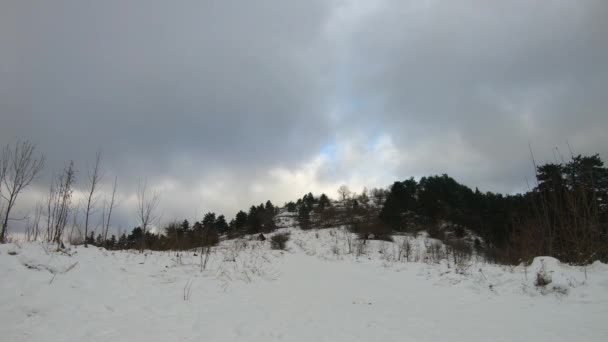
(314, 291)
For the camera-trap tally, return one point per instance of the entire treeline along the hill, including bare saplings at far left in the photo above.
(564, 215)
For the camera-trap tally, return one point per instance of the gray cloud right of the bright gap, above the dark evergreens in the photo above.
(487, 78)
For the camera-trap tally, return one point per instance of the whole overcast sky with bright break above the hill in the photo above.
(222, 104)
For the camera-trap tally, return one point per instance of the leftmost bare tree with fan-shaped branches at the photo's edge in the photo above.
(20, 167)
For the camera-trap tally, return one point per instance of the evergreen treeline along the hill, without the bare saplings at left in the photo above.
(564, 215)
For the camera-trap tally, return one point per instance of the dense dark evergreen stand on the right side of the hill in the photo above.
(564, 215)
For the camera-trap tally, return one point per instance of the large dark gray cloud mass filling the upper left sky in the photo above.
(216, 80)
